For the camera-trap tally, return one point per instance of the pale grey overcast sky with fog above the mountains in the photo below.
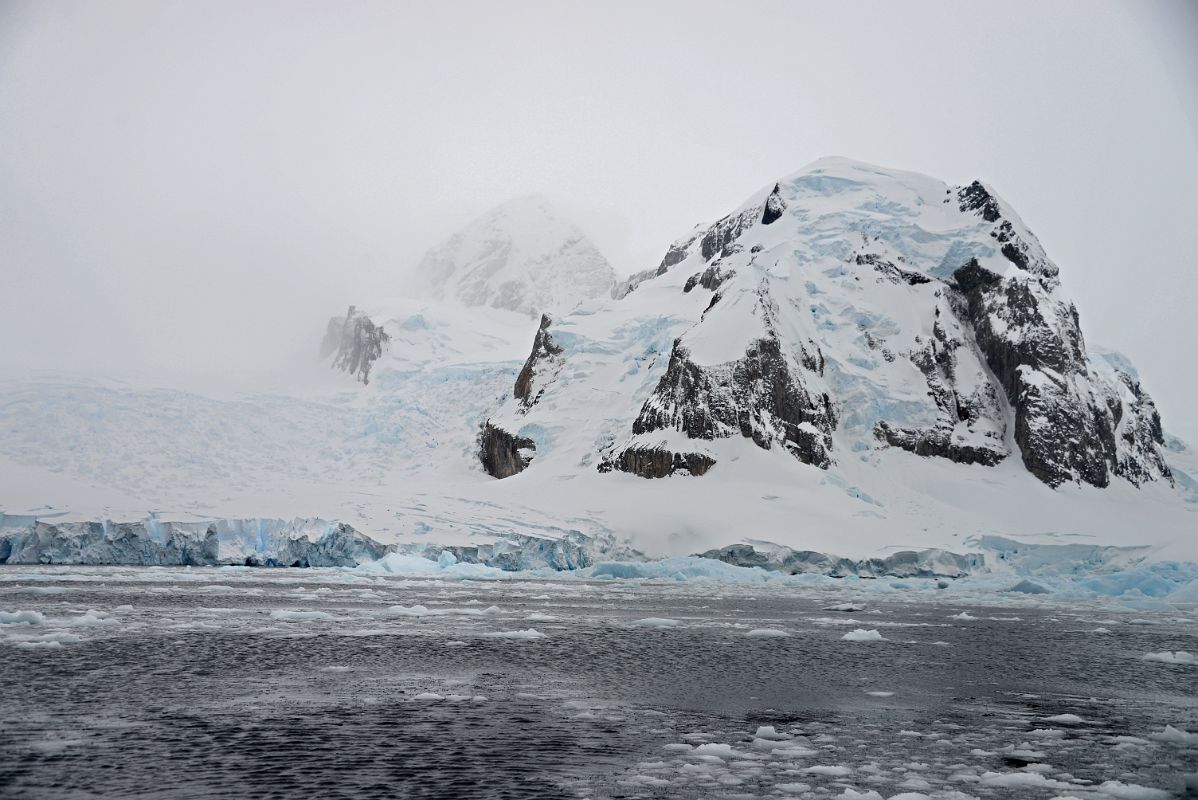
(203, 184)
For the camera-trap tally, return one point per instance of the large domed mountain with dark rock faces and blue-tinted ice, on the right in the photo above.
(848, 310)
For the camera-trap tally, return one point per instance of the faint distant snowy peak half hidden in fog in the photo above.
(522, 257)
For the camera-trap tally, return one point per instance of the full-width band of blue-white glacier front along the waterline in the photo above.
(1128, 575)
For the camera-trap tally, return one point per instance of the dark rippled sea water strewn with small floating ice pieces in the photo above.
(243, 683)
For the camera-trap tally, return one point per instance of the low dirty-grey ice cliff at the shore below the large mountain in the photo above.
(907, 563)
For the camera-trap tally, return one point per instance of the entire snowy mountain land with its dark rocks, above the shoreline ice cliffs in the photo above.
(855, 361)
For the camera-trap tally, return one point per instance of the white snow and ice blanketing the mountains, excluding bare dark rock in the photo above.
(398, 459)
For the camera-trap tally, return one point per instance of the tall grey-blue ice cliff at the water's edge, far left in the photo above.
(168, 544)
